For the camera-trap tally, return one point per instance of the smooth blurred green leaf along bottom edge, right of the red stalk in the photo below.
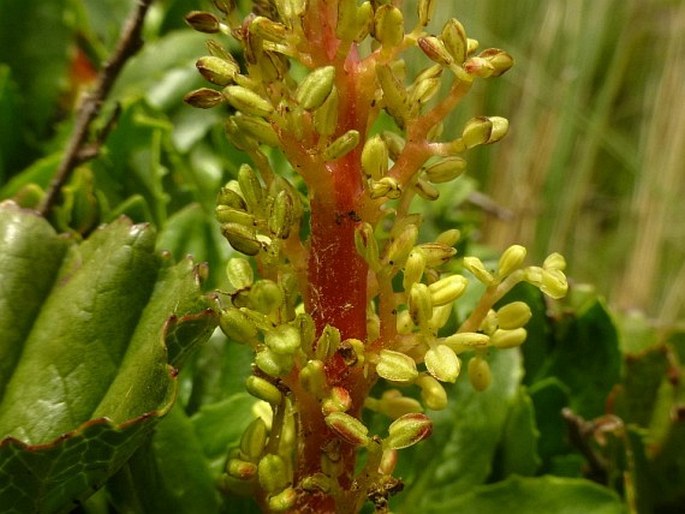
(533, 496)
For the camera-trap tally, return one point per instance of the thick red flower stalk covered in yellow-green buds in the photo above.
(358, 297)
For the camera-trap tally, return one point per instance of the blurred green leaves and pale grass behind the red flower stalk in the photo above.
(592, 168)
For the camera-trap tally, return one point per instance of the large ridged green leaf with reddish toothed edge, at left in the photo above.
(93, 374)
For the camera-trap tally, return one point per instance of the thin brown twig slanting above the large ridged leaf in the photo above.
(79, 148)
